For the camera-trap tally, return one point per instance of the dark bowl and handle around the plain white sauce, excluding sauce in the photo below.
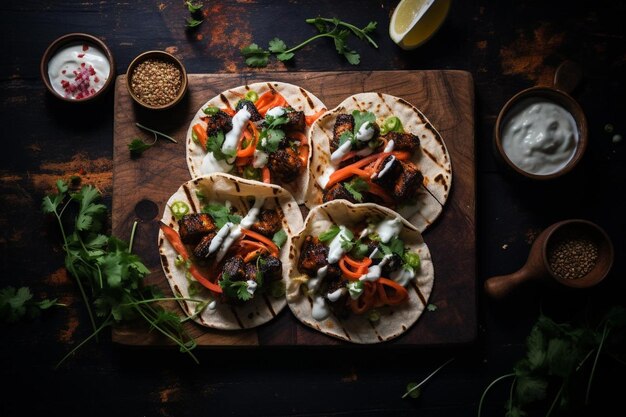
(566, 78)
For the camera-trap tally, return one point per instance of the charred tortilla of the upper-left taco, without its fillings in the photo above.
(297, 97)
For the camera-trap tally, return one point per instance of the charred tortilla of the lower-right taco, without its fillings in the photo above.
(394, 320)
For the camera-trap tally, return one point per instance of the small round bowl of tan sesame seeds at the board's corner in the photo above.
(156, 80)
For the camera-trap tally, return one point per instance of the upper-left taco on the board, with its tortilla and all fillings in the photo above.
(257, 132)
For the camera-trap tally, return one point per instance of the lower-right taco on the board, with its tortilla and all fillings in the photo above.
(360, 273)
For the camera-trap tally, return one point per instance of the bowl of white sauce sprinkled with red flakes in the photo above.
(77, 67)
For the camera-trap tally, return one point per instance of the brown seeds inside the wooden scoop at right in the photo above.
(572, 256)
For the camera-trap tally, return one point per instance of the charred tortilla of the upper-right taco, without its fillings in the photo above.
(432, 158)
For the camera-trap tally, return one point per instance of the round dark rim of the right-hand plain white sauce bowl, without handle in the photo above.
(559, 97)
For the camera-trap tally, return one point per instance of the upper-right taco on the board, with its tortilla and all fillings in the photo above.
(377, 148)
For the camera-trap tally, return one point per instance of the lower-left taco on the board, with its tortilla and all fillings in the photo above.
(224, 249)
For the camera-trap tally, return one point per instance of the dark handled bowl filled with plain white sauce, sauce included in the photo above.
(541, 132)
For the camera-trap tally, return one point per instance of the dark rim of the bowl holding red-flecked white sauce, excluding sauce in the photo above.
(68, 39)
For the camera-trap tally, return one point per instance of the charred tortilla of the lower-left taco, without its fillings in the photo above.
(219, 188)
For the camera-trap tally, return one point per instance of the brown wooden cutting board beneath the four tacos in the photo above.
(142, 186)
